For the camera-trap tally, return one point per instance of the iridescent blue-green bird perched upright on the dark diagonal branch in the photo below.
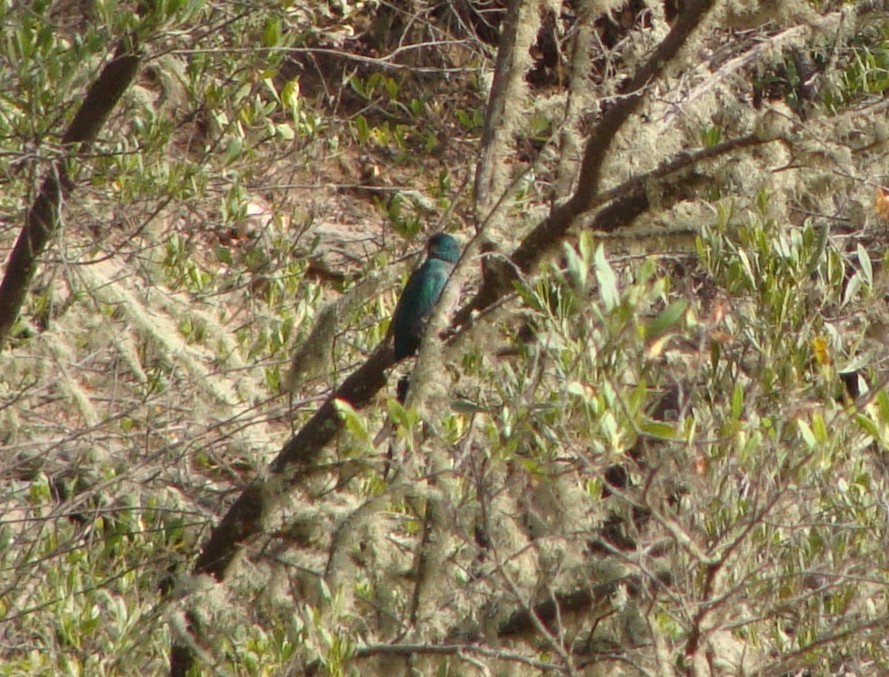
(421, 293)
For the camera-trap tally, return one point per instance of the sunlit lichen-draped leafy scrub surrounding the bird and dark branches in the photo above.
(642, 458)
